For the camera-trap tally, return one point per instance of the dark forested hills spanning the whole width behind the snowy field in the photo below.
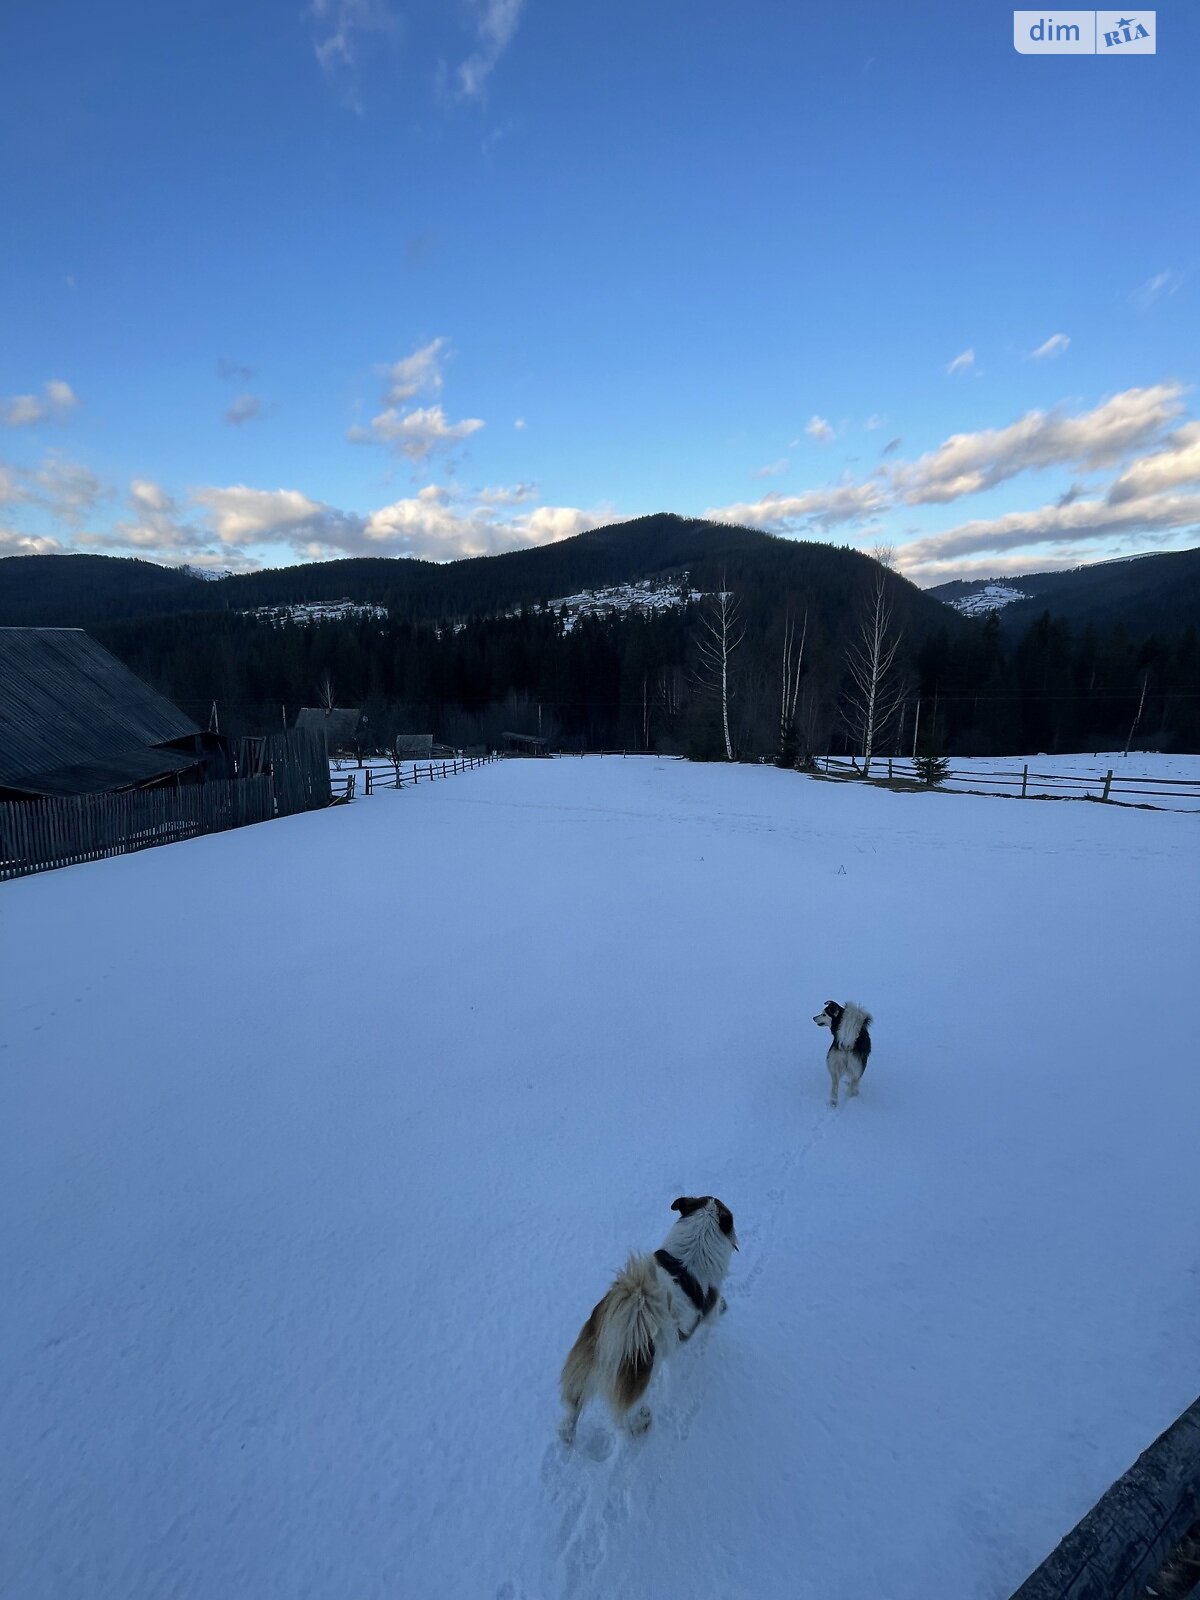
(473, 649)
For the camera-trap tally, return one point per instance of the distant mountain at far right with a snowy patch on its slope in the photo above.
(1148, 594)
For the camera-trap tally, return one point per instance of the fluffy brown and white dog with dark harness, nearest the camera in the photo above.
(657, 1303)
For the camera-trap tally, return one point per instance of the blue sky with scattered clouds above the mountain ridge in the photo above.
(407, 278)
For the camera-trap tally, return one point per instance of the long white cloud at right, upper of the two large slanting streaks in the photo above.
(969, 463)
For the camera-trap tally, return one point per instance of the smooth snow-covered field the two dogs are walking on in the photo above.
(319, 1142)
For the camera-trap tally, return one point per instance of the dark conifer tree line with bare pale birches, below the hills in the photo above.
(753, 670)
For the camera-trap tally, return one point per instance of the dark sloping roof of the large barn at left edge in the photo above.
(74, 721)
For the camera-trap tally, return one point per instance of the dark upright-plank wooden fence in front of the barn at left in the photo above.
(284, 774)
